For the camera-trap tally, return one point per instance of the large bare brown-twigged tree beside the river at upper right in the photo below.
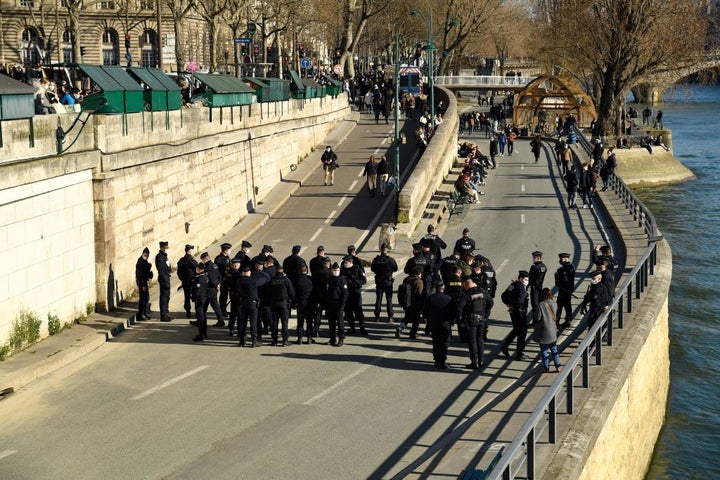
(612, 45)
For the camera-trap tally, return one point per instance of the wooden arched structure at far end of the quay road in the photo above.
(554, 96)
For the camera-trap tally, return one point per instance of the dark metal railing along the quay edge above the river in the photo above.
(576, 373)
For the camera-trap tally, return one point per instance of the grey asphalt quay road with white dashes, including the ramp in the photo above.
(152, 404)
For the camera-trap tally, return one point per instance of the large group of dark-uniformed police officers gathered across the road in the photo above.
(457, 289)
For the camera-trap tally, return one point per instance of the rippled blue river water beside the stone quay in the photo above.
(689, 217)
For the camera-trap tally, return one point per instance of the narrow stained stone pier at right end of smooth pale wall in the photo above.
(104, 208)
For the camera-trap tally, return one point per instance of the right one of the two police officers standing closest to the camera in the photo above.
(473, 309)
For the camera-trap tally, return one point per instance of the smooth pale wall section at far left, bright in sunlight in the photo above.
(47, 236)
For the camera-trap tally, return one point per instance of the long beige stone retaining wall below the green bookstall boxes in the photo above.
(74, 225)
